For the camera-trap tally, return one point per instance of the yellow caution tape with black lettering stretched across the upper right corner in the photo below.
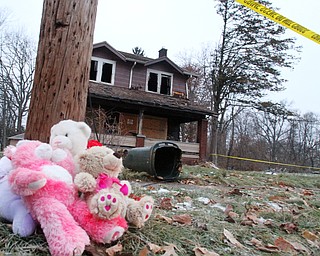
(272, 15)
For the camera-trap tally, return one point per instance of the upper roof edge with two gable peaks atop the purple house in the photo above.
(125, 56)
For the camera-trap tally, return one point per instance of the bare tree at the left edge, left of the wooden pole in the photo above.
(17, 61)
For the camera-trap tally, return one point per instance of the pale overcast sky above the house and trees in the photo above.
(184, 26)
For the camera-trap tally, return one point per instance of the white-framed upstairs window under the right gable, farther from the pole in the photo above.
(159, 82)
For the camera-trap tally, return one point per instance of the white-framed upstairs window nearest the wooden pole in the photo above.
(102, 70)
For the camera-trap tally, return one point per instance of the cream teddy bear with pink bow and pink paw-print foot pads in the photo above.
(100, 167)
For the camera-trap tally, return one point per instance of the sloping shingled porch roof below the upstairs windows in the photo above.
(148, 101)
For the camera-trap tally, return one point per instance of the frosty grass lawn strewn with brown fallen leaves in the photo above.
(250, 205)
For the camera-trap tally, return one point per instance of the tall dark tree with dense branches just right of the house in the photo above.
(246, 62)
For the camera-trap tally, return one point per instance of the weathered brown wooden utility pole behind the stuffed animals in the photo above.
(61, 79)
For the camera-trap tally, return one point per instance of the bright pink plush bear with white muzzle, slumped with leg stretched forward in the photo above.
(48, 190)
